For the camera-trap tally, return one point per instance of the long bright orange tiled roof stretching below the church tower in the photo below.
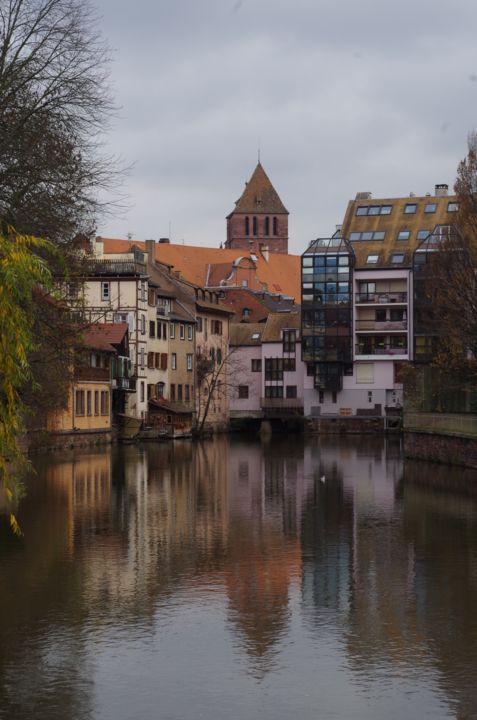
(280, 274)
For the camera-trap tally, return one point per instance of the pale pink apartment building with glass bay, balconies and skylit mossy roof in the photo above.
(357, 302)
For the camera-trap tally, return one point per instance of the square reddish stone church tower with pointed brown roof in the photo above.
(259, 219)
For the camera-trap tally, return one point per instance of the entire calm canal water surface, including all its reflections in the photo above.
(243, 580)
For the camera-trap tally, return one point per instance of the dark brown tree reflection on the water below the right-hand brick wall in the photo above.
(442, 526)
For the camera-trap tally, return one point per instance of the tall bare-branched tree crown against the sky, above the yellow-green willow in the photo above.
(54, 106)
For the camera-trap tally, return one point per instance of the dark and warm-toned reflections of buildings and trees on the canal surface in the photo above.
(339, 530)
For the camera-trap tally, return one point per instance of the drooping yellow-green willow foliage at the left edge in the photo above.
(22, 273)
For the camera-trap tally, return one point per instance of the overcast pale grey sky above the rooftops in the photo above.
(339, 96)
